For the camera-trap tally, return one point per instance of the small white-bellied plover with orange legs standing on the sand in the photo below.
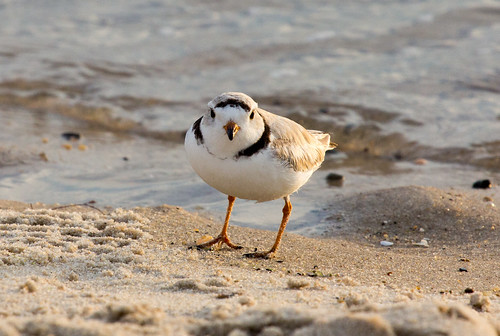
(246, 152)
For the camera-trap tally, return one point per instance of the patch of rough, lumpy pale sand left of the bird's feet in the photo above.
(47, 236)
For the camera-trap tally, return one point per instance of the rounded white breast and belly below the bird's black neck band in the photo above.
(261, 177)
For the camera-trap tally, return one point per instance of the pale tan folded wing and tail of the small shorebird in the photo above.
(302, 149)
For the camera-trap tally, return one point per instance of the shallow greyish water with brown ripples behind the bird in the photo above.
(393, 81)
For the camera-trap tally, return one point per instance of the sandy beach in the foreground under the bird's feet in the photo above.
(82, 271)
